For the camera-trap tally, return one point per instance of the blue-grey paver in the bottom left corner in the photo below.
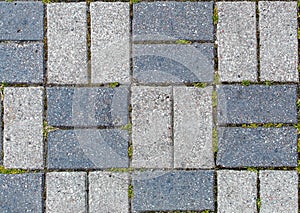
(21, 193)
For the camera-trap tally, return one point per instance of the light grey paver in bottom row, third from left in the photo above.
(108, 192)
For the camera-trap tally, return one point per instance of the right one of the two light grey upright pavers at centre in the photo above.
(193, 128)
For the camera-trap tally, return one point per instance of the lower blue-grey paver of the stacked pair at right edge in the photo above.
(257, 147)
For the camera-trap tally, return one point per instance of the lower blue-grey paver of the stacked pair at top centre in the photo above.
(171, 63)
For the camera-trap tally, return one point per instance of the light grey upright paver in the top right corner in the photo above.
(278, 41)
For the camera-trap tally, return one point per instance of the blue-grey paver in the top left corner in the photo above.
(21, 21)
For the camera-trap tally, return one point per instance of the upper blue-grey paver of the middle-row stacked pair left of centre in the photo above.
(106, 106)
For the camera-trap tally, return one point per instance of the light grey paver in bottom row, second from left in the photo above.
(66, 192)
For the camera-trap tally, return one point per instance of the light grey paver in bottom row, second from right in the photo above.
(237, 191)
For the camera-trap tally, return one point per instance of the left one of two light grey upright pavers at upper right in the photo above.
(236, 34)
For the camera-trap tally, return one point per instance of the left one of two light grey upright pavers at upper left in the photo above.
(67, 43)
